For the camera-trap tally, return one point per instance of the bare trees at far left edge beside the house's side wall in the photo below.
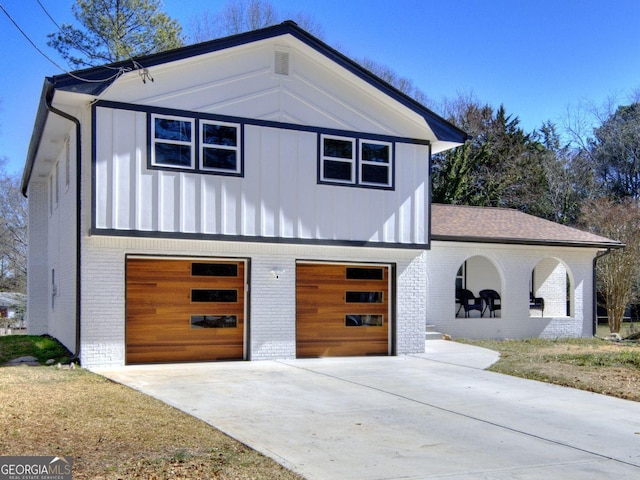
(13, 233)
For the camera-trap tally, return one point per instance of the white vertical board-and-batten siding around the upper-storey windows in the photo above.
(278, 197)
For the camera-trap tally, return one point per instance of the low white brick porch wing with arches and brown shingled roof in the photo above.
(517, 276)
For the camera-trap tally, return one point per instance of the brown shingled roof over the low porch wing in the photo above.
(508, 226)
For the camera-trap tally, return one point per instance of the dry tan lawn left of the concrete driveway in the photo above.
(114, 432)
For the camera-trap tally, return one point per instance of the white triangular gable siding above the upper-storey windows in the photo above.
(240, 82)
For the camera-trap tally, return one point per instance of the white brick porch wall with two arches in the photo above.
(513, 266)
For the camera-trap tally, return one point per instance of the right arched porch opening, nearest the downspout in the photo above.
(550, 290)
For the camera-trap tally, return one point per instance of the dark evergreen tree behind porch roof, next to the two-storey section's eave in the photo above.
(501, 166)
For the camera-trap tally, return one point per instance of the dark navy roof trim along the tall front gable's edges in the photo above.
(89, 82)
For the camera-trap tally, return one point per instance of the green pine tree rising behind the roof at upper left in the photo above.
(115, 30)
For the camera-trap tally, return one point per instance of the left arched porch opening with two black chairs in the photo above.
(478, 289)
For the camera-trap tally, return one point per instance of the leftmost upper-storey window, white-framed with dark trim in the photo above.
(172, 141)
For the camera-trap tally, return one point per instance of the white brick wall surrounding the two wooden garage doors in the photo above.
(271, 318)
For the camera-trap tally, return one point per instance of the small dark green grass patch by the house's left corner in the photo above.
(41, 347)
